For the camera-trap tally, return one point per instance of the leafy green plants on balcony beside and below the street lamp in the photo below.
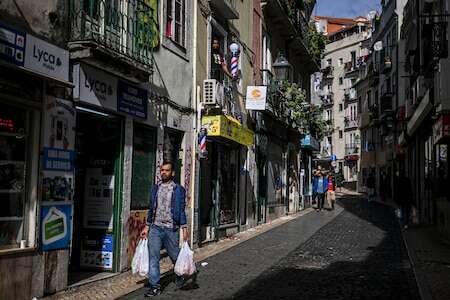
(308, 117)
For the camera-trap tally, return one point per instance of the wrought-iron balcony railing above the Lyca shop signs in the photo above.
(126, 27)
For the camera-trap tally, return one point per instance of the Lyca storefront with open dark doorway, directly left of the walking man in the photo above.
(109, 131)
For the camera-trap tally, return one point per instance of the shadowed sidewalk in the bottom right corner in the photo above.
(430, 257)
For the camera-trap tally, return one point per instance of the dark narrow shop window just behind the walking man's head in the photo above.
(144, 161)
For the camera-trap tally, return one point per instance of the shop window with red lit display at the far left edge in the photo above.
(14, 143)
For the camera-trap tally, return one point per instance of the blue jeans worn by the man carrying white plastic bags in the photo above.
(160, 238)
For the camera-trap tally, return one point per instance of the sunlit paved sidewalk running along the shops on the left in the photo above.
(125, 283)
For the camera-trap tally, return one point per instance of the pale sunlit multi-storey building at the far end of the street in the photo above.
(343, 57)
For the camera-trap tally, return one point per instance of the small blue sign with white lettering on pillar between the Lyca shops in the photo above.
(55, 159)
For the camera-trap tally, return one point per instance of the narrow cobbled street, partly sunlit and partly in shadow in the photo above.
(355, 252)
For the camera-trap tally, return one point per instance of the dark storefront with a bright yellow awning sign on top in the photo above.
(220, 201)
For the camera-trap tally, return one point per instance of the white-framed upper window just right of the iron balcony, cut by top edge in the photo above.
(176, 21)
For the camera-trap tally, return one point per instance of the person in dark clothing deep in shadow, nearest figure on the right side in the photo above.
(403, 197)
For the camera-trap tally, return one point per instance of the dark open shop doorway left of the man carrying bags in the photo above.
(97, 205)
